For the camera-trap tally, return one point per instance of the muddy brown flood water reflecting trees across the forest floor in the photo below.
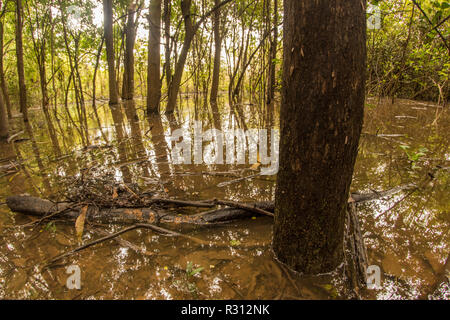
(407, 235)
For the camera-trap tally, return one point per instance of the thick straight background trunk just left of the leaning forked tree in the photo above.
(154, 58)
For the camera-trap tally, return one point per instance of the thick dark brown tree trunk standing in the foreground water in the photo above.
(321, 121)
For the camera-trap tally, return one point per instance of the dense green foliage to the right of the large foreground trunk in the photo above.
(407, 57)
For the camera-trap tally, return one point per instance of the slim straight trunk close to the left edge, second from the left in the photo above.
(20, 67)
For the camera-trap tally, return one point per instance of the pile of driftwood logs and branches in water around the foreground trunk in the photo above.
(149, 212)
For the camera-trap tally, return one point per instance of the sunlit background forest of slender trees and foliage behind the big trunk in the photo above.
(232, 51)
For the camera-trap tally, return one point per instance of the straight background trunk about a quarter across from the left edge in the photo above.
(109, 40)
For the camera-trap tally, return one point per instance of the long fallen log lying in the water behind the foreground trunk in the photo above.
(39, 207)
